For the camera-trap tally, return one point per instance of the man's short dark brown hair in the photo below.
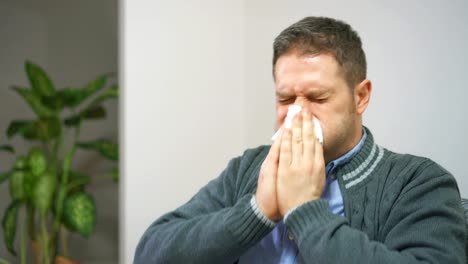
(314, 35)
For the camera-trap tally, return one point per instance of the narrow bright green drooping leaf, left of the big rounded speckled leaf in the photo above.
(43, 193)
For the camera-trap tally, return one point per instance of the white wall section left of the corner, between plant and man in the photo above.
(183, 104)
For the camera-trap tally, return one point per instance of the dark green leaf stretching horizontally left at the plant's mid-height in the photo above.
(43, 129)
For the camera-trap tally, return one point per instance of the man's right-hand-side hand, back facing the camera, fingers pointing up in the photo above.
(301, 168)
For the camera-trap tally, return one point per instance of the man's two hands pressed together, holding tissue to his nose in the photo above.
(293, 173)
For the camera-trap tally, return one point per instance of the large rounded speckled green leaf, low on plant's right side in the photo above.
(79, 213)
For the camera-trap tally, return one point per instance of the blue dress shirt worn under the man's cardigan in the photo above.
(276, 247)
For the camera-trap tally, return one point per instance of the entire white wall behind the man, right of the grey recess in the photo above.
(205, 55)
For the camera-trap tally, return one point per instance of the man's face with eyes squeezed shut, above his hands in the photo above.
(316, 83)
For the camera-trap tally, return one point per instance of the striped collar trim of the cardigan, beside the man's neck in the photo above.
(363, 163)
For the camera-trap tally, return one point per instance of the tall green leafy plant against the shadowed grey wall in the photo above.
(42, 182)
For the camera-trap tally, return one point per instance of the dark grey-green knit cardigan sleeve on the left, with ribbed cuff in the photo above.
(215, 226)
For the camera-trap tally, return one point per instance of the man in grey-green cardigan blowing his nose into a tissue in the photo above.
(298, 201)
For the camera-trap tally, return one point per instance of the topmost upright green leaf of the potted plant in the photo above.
(40, 81)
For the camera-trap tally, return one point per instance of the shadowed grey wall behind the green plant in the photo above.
(74, 41)
